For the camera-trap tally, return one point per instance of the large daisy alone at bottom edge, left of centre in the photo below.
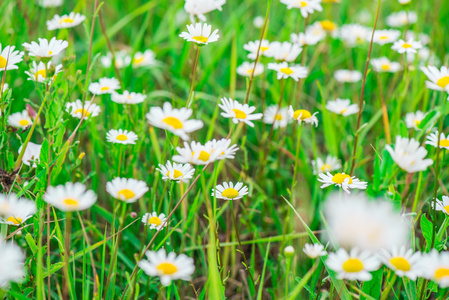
(167, 267)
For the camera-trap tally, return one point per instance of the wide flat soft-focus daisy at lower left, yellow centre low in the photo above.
(70, 197)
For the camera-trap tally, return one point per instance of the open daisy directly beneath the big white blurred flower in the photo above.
(355, 265)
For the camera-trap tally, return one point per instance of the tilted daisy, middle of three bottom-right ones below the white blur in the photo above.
(403, 261)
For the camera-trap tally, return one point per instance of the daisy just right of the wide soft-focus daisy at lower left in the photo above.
(126, 189)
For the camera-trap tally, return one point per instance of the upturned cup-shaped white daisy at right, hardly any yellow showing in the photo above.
(409, 155)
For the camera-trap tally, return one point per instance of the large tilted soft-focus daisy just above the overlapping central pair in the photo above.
(173, 119)
